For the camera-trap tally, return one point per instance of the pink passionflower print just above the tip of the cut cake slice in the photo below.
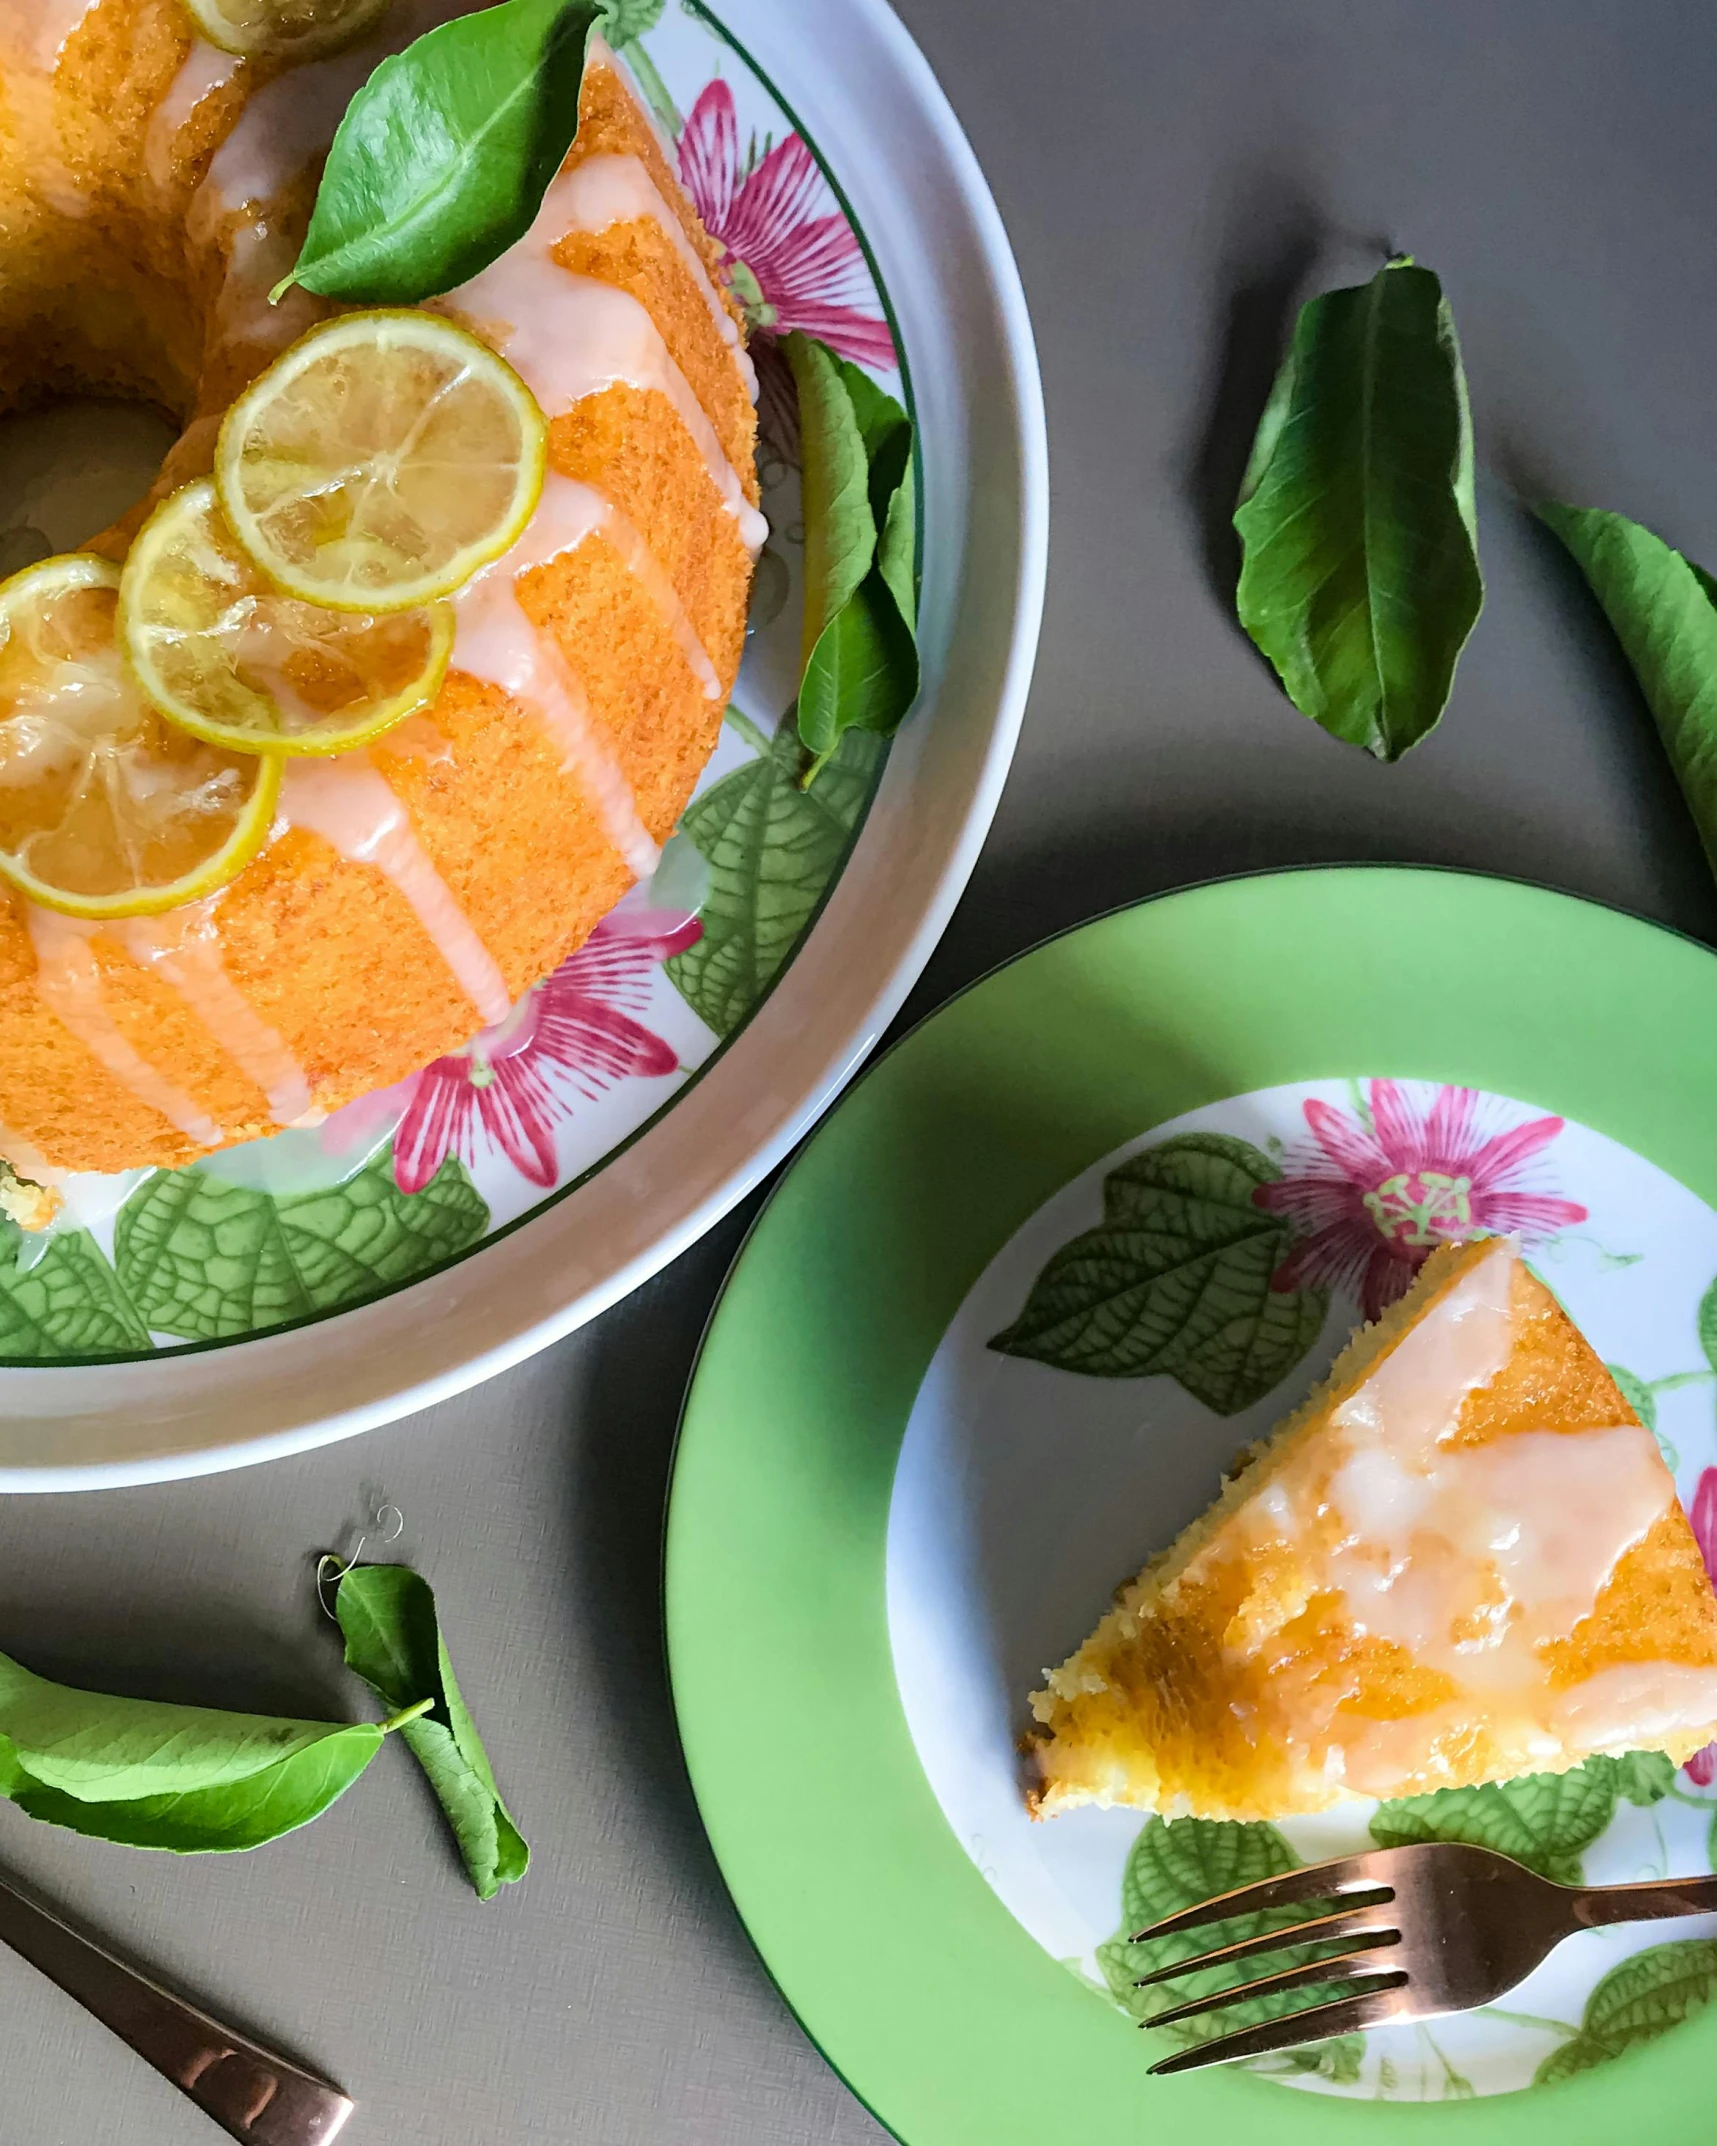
(1370, 1205)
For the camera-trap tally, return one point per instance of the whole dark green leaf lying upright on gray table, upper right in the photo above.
(1360, 544)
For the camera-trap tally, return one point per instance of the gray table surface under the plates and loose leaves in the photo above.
(1173, 173)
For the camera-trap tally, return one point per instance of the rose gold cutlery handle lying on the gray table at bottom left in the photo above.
(250, 2091)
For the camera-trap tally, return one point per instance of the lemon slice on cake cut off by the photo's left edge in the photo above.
(106, 810)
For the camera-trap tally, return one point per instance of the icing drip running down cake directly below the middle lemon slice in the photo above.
(355, 812)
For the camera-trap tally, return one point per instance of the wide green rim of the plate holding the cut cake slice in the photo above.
(924, 1993)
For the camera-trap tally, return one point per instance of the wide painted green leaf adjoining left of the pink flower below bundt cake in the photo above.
(205, 1259)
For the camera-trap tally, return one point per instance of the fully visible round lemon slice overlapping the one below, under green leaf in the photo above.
(381, 462)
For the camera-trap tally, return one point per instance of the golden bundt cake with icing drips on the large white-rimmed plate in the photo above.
(153, 192)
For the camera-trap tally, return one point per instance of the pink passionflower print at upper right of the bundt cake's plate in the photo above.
(791, 256)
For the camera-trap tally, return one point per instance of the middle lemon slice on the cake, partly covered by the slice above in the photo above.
(229, 658)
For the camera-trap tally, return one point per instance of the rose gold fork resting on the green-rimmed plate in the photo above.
(1418, 1932)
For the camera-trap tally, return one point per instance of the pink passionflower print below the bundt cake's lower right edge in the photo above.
(572, 1035)
